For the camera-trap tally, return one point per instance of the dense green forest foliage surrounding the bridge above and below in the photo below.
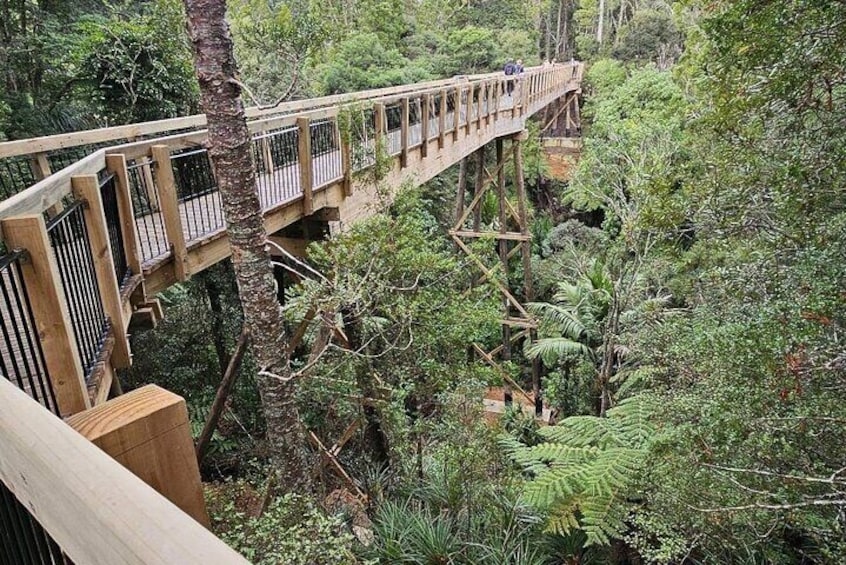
(689, 283)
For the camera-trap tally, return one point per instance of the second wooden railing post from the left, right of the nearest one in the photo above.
(88, 188)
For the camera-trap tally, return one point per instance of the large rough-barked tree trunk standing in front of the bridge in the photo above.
(229, 149)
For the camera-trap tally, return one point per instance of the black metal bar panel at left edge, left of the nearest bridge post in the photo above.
(21, 357)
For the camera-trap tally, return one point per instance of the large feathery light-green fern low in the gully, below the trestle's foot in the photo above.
(584, 472)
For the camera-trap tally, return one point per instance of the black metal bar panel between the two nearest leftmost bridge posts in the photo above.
(68, 235)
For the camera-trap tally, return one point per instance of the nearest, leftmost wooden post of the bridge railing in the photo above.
(49, 311)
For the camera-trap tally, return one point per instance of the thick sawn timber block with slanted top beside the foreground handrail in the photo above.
(148, 432)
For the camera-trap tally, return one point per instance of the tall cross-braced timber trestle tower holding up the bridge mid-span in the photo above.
(510, 243)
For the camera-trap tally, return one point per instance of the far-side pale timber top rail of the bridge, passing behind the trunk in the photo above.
(42, 144)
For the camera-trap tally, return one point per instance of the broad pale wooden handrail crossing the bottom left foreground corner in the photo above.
(97, 511)
